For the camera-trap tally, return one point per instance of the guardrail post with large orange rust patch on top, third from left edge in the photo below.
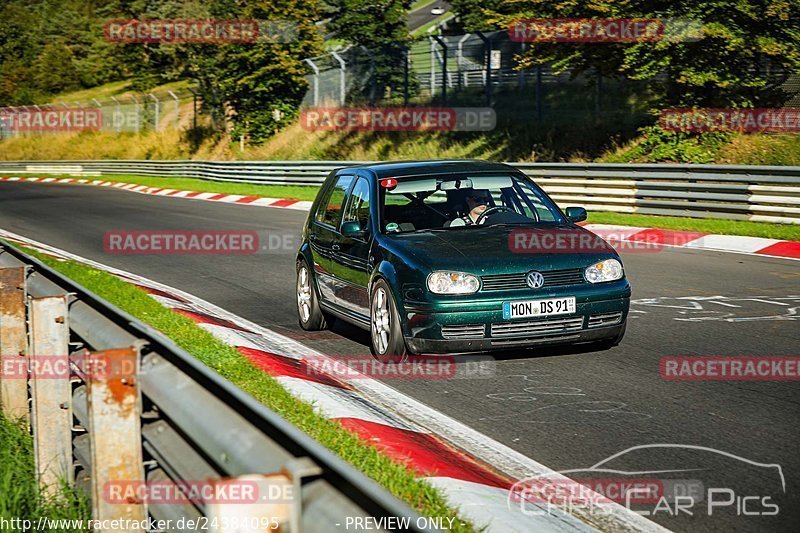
(114, 408)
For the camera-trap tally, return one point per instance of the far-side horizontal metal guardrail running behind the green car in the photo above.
(760, 193)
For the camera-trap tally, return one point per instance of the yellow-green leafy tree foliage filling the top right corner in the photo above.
(740, 41)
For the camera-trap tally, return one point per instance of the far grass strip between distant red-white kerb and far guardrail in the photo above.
(787, 232)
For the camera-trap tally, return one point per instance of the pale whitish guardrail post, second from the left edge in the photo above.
(51, 393)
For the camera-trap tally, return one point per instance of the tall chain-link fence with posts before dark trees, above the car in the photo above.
(481, 69)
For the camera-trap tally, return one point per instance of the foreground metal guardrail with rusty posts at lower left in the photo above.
(144, 415)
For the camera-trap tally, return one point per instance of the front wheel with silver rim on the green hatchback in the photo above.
(388, 345)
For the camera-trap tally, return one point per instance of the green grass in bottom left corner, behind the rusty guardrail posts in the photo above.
(19, 490)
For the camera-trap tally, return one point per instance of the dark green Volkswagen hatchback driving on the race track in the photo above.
(451, 257)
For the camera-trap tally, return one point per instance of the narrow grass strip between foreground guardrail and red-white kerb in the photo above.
(232, 365)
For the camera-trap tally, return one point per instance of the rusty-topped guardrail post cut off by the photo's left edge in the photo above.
(13, 341)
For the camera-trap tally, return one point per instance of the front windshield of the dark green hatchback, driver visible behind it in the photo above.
(456, 202)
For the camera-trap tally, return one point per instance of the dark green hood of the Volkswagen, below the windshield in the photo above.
(500, 250)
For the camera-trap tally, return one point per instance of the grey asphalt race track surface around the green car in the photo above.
(566, 408)
